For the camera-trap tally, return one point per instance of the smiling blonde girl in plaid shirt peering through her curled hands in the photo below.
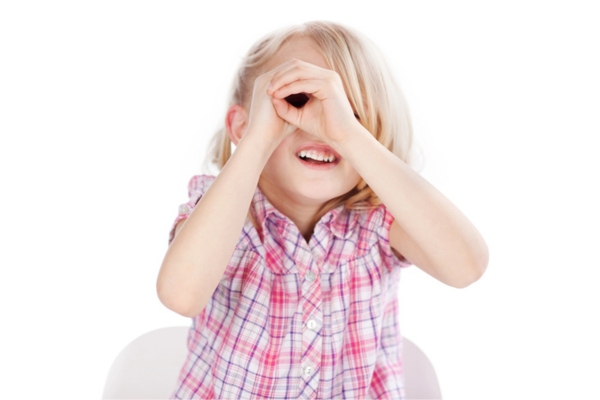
(288, 261)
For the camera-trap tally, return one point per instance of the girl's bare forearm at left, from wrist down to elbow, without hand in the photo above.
(201, 250)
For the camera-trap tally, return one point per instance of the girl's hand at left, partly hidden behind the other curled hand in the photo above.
(263, 119)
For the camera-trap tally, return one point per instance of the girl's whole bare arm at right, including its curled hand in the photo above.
(428, 230)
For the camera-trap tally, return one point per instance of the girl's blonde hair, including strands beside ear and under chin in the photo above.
(374, 94)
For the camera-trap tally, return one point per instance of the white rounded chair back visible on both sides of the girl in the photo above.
(149, 366)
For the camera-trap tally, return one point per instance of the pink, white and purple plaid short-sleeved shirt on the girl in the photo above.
(291, 319)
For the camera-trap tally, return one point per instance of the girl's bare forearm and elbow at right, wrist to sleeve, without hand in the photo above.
(436, 236)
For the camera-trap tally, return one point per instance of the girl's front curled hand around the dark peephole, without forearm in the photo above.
(327, 114)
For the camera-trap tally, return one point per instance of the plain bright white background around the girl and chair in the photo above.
(105, 112)
